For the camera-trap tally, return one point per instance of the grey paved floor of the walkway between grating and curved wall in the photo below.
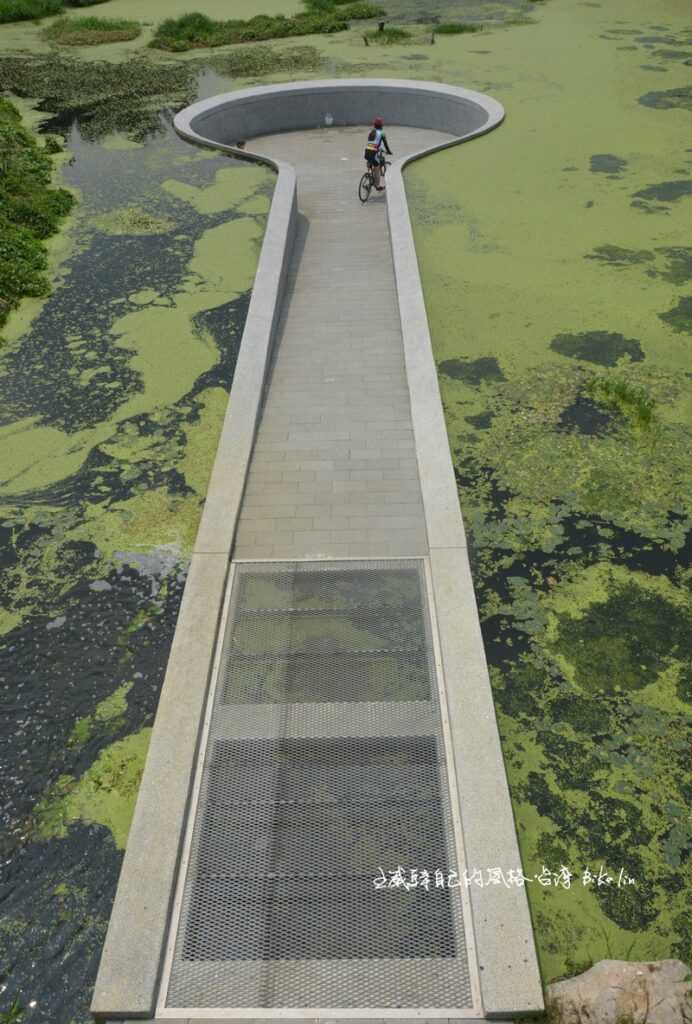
(334, 471)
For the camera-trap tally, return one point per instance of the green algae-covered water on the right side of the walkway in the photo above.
(556, 264)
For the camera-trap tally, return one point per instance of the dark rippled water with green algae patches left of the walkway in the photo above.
(114, 391)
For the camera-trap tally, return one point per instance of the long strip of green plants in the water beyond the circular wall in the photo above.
(198, 30)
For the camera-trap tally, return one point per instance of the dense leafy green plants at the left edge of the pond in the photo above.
(30, 211)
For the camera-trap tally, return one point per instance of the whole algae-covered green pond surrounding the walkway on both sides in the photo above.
(556, 264)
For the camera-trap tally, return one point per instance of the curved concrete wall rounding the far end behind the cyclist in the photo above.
(267, 111)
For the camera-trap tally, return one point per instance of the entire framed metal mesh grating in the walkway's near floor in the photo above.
(325, 763)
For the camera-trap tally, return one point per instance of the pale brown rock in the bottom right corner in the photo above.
(624, 993)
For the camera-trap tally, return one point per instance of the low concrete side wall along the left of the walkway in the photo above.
(132, 960)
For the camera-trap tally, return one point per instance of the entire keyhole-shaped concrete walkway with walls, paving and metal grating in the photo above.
(327, 721)
